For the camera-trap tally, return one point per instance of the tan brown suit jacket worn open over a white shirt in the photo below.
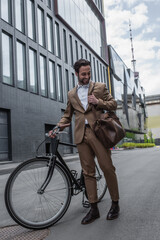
(106, 102)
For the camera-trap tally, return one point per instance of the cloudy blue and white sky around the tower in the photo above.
(145, 23)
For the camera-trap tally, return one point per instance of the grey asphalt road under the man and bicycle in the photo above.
(138, 175)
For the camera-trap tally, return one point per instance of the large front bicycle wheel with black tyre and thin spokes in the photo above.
(29, 208)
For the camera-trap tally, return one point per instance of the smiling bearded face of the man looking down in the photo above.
(84, 75)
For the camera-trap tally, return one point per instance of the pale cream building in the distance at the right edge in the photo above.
(153, 120)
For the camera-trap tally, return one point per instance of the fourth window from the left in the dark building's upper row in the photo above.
(41, 32)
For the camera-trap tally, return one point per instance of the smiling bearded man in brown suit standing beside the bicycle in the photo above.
(81, 99)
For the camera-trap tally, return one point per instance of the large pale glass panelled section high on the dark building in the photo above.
(78, 14)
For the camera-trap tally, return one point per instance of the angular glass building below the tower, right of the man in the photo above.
(130, 95)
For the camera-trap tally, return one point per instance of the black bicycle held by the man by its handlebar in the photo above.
(38, 192)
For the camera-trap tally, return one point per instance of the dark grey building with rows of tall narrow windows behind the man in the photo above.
(37, 52)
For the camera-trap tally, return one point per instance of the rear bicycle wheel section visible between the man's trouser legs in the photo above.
(101, 183)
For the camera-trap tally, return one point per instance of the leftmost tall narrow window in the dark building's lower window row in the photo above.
(7, 67)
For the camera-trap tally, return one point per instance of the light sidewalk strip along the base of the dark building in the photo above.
(7, 167)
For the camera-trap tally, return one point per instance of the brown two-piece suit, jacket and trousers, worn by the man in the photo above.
(87, 143)
